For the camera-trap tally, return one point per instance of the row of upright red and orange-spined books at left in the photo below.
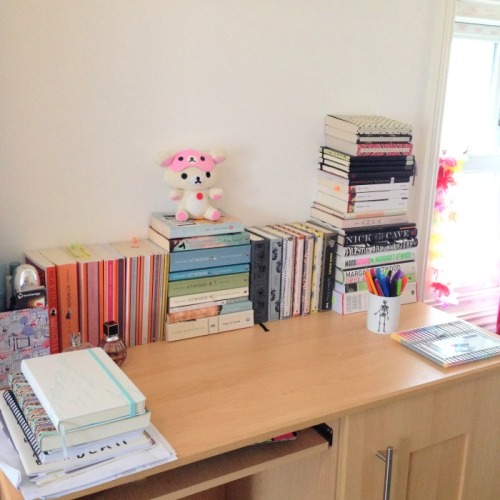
(88, 285)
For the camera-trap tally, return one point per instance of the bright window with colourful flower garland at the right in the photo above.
(465, 241)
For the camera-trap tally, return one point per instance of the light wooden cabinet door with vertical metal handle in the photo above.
(445, 446)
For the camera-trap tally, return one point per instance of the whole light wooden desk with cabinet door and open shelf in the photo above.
(214, 396)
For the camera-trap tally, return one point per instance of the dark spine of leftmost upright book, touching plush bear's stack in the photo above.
(259, 279)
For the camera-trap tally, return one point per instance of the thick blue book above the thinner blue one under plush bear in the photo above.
(210, 257)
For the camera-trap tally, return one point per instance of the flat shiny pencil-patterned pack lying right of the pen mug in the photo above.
(450, 344)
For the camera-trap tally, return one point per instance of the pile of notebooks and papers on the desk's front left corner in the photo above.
(71, 411)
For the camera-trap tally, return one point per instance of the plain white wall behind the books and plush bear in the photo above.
(91, 90)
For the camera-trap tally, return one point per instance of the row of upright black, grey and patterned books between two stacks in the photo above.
(296, 265)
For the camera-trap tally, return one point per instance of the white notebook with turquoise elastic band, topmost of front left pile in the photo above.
(82, 388)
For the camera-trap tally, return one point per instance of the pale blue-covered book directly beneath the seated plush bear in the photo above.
(166, 225)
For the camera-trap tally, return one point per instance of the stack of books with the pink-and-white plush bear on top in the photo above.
(209, 274)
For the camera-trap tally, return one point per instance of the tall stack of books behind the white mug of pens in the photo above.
(363, 186)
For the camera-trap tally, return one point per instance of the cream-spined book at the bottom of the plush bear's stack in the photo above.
(208, 326)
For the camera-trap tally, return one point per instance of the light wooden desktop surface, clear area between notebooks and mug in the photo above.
(209, 395)
